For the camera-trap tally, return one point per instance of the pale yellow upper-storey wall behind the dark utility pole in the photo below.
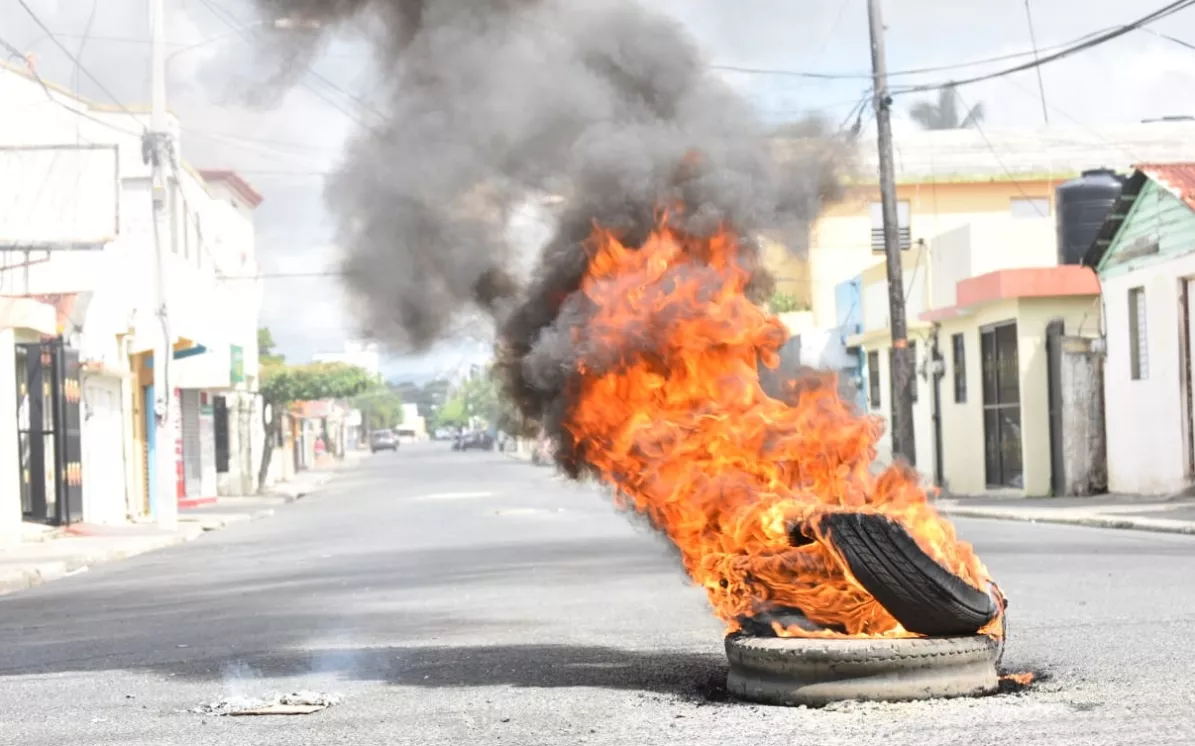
(842, 239)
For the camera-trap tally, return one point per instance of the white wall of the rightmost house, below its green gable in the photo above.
(1145, 419)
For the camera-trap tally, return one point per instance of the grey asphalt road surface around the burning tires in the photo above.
(467, 598)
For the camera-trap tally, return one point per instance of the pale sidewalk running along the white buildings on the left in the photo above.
(48, 554)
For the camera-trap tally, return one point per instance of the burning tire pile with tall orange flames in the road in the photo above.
(835, 583)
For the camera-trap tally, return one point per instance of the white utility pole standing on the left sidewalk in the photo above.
(158, 150)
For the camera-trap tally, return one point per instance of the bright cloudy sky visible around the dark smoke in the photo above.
(284, 126)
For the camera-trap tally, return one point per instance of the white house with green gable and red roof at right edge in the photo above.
(1145, 256)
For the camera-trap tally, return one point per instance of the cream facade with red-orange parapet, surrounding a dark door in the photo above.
(963, 424)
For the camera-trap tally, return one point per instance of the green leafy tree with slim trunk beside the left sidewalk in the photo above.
(283, 386)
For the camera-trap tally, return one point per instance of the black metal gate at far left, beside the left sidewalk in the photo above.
(50, 432)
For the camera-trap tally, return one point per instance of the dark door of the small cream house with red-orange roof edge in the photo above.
(1002, 406)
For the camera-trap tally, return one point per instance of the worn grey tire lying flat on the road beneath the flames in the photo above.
(795, 671)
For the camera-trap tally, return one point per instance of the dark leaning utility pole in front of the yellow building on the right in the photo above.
(902, 375)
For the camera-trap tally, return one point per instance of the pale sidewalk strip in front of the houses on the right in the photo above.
(1137, 512)
